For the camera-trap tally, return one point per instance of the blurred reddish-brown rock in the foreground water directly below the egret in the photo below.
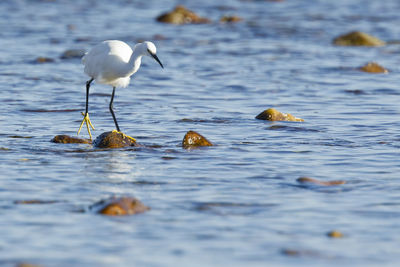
(118, 206)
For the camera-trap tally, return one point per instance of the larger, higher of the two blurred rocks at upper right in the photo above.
(357, 39)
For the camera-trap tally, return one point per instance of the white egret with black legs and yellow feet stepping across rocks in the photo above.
(113, 62)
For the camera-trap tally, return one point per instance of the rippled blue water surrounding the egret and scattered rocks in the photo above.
(234, 204)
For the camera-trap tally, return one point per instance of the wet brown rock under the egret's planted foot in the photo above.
(114, 139)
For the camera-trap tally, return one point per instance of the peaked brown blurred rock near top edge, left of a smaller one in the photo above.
(181, 15)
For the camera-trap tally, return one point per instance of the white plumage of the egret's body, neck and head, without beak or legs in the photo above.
(112, 62)
